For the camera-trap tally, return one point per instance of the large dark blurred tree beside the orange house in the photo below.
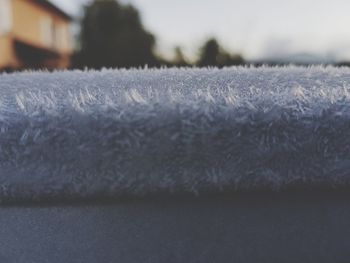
(112, 35)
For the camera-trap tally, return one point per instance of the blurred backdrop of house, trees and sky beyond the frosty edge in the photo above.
(59, 34)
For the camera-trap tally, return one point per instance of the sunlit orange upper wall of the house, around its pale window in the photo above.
(27, 19)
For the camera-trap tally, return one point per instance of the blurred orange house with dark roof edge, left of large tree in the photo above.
(34, 34)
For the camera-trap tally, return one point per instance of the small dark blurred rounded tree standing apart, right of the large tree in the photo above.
(212, 54)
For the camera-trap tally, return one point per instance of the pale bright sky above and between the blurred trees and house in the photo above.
(256, 28)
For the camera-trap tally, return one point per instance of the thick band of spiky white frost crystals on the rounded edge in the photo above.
(138, 132)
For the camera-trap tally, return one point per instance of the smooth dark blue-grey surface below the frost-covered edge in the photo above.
(246, 228)
